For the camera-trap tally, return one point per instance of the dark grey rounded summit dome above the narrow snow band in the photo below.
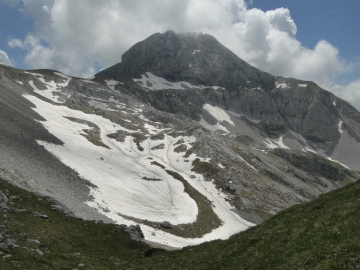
(193, 57)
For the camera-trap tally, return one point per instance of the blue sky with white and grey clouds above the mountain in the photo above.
(310, 40)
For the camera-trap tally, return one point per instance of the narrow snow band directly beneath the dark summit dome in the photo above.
(153, 82)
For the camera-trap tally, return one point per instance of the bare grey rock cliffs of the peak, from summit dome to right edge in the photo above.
(280, 104)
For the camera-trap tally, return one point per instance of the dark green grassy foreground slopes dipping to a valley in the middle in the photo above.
(322, 234)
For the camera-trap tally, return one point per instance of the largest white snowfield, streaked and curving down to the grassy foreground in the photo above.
(118, 174)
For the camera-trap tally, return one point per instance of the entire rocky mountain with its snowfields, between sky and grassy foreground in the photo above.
(181, 137)
